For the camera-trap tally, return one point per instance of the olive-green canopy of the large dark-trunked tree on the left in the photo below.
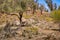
(12, 5)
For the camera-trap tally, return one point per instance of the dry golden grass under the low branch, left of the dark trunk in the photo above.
(4, 18)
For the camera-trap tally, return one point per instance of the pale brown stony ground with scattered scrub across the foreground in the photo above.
(33, 28)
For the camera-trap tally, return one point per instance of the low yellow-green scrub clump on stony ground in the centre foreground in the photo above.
(30, 32)
